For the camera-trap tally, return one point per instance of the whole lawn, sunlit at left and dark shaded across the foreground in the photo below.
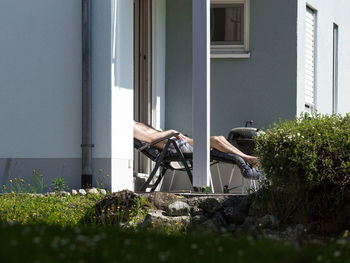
(52, 229)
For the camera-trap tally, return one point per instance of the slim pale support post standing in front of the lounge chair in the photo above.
(201, 91)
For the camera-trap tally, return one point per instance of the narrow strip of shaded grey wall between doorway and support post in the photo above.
(178, 76)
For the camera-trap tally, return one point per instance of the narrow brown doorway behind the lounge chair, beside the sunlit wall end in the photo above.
(142, 73)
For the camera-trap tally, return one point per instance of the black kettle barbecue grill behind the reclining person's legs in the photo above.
(243, 138)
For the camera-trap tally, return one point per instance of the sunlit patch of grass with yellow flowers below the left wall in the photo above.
(51, 210)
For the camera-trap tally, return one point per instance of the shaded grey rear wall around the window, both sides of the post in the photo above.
(262, 88)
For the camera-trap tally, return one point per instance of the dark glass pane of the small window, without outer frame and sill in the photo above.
(226, 24)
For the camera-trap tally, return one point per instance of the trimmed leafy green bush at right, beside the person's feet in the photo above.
(306, 162)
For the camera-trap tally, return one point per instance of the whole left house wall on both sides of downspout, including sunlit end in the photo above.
(40, 90)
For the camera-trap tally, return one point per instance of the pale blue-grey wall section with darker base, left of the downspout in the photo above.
(40, 88)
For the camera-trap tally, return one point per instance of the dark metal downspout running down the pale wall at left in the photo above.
(86, 177)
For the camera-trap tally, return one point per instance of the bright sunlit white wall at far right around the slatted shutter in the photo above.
(328, 12)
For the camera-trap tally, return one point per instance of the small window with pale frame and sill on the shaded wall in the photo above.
(229, 28)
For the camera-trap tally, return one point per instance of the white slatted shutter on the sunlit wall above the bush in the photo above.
(310, 59)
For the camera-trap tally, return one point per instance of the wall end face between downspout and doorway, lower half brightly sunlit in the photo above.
(122, 96)
